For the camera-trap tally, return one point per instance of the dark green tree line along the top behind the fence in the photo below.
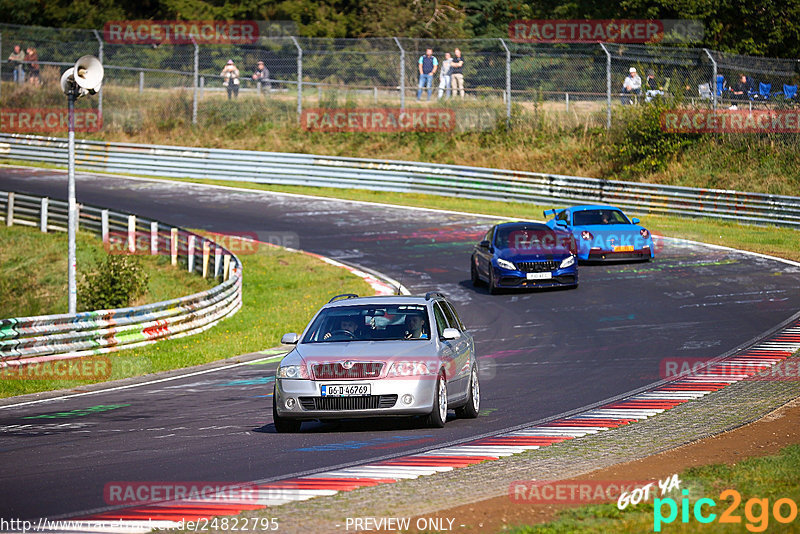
(761, 28)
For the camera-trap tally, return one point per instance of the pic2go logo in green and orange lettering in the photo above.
(756, 511)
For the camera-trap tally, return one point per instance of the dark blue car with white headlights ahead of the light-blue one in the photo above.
(524, 254)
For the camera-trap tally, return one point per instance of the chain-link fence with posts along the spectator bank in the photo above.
(579, 84)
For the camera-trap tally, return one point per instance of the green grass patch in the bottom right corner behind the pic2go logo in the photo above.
(770, 477)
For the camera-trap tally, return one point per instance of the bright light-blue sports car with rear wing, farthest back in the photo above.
(604, 233)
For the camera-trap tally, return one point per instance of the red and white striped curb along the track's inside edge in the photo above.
(718, 375)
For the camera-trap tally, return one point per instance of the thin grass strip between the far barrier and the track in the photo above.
(776, 241)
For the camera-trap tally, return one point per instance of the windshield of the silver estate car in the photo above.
(392, 322)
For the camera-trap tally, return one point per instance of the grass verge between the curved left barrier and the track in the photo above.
(281, 291)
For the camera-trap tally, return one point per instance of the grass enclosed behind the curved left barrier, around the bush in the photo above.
(33, 272)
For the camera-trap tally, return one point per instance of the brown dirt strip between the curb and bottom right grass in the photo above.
(764, 437)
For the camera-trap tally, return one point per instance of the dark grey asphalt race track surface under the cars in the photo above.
(542, 353)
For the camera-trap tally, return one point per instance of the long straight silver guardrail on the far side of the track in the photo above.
(406, 177)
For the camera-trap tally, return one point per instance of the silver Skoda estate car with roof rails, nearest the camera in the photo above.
(376, 356)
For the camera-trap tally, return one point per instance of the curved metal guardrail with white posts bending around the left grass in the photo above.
(51, 337)
